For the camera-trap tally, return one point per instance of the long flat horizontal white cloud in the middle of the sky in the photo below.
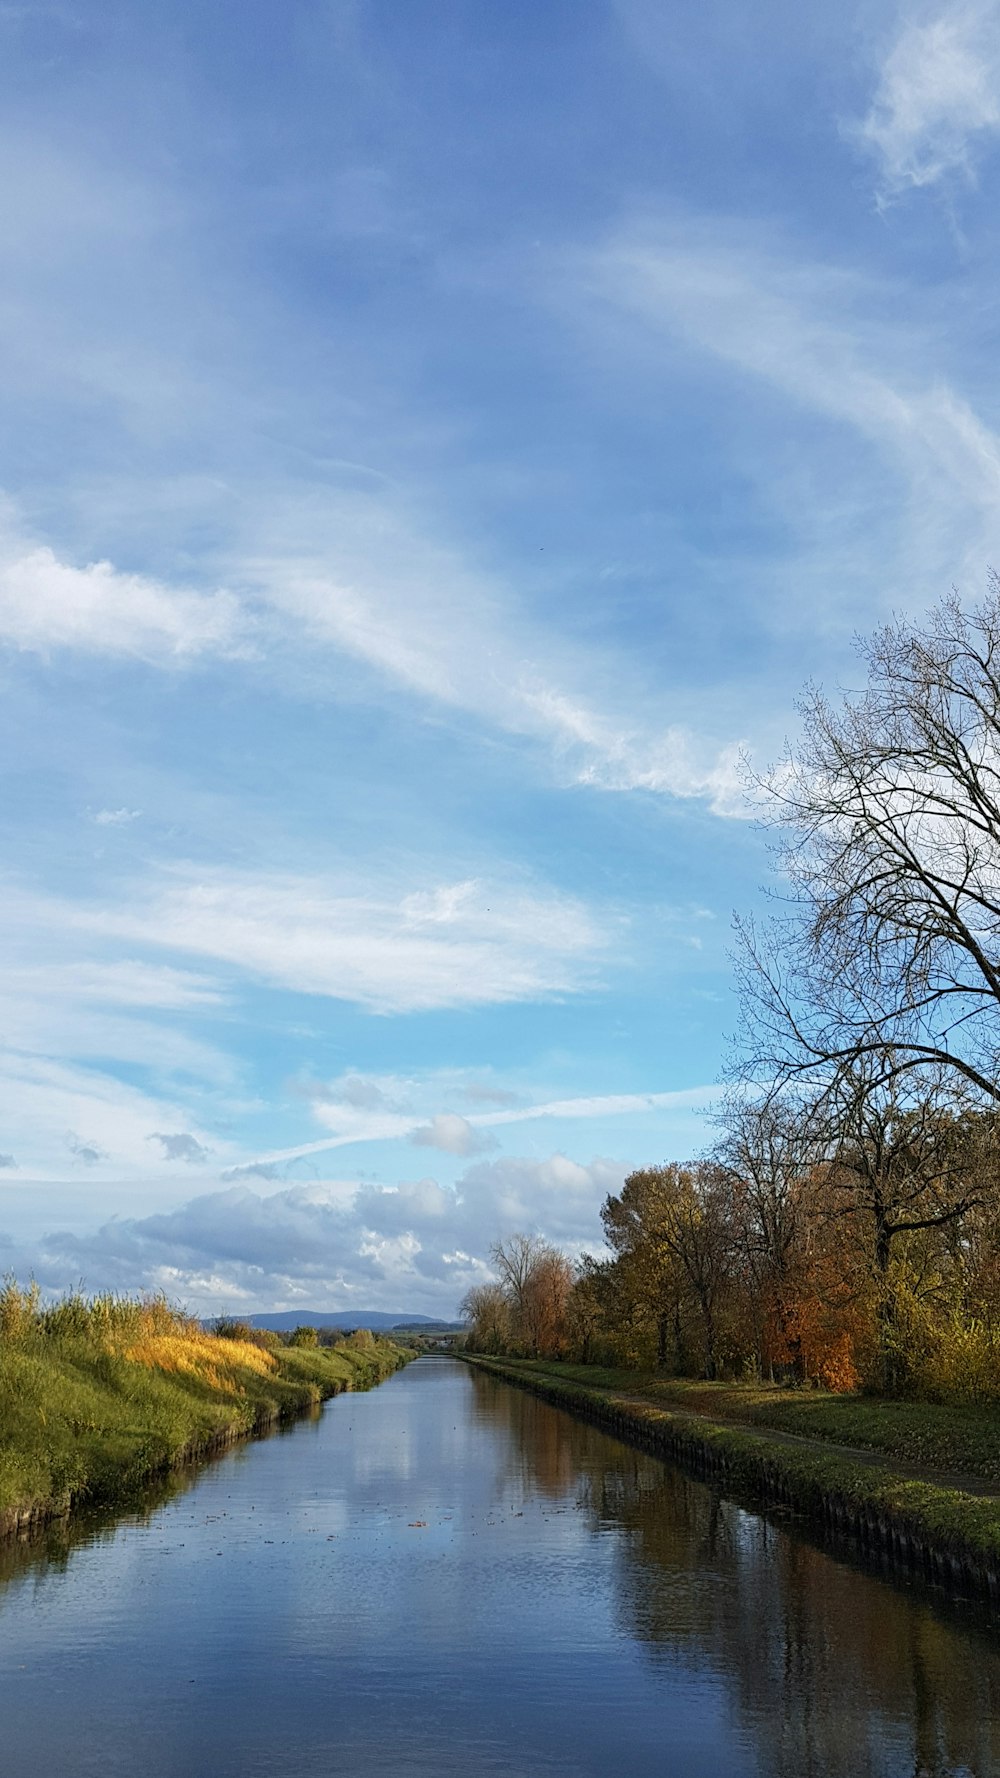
(456, 945)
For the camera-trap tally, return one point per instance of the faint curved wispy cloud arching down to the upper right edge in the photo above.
(818, 337)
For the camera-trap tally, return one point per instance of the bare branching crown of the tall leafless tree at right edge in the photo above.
(889, 822)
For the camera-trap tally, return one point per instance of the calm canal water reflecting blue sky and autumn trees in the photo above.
(451, 1578)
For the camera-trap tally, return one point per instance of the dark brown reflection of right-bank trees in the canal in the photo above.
(834, 1672)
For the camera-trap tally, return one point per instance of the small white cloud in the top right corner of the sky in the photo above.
(939, 95)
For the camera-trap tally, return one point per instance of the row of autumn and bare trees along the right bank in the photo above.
(844, 1228)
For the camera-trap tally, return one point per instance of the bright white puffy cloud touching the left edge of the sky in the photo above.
(49, 605)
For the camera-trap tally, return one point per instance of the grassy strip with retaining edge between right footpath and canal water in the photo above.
(949, 1535)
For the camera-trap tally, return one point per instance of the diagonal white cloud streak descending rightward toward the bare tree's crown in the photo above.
(382, 589)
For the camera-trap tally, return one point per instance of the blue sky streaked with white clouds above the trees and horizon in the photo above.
(439, 445)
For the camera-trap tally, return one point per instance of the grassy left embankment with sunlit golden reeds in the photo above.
(97, 1398)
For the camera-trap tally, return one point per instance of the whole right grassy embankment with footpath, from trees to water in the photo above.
(901, 1478)
